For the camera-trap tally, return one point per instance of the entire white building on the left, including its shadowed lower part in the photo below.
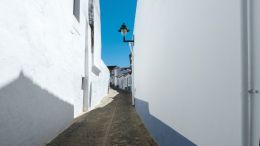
(46, 48)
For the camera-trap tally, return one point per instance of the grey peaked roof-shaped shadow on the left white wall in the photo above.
(30, 115)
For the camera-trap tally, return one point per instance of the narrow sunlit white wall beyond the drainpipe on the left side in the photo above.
(98, 81)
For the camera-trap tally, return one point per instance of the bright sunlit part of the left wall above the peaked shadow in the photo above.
(40, 38)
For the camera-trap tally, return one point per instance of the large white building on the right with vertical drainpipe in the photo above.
(201, 58)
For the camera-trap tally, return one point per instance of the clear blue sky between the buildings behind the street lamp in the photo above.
(113, 14)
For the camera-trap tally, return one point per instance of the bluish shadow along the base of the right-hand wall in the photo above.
(162, 133)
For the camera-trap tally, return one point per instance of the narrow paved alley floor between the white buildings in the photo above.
(113, 123)
